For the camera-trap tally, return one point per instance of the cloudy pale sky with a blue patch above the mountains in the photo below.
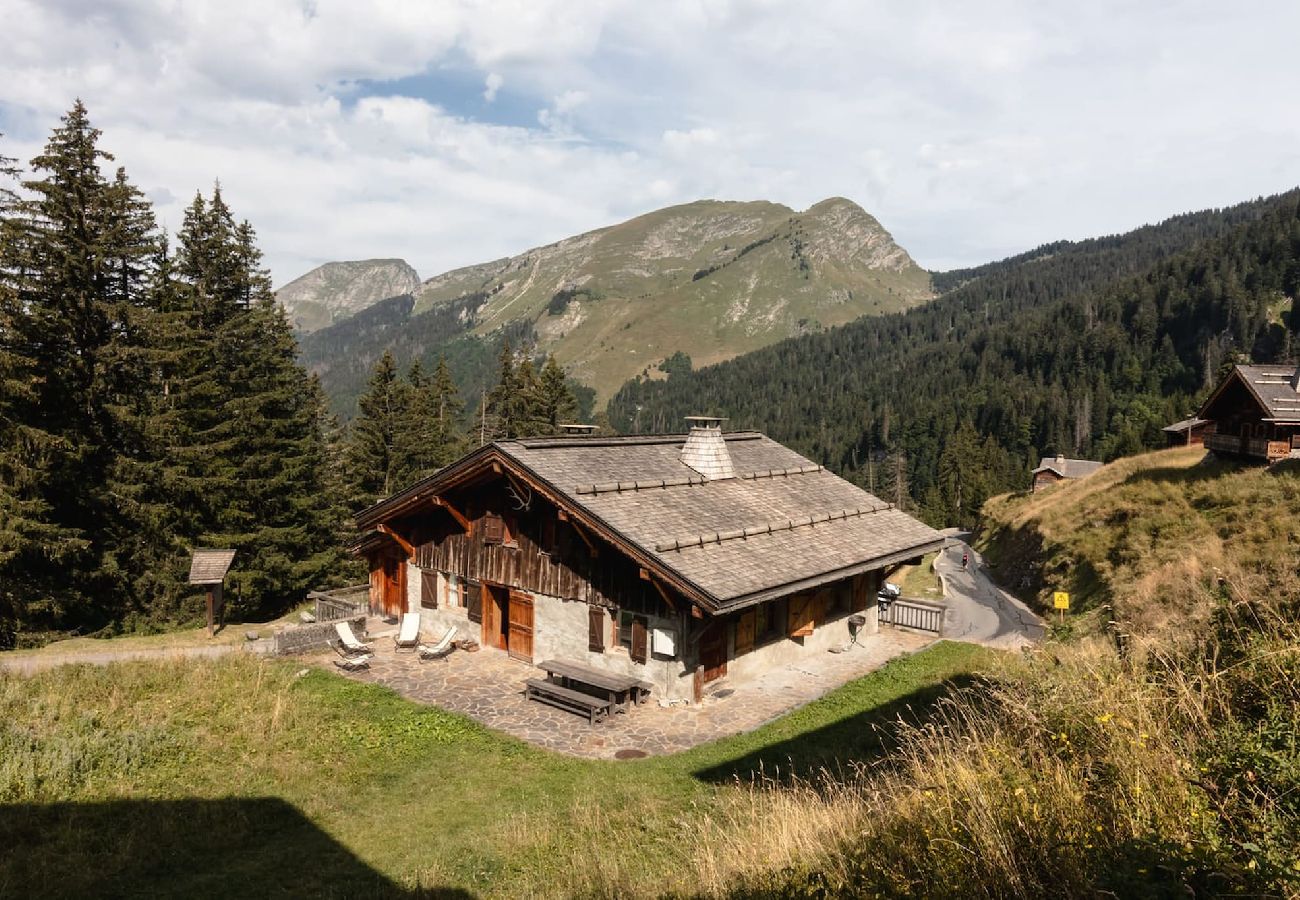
(454, 132)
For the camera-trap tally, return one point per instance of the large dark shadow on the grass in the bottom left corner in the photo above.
(192, 849)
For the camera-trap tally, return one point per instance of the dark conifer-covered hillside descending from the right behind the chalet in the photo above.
(1085, 349)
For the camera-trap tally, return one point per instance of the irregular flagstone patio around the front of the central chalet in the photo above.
(488, 686)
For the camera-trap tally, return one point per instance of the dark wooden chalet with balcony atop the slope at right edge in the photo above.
(1256, 414)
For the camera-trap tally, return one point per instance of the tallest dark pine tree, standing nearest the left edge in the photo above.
(79, 262)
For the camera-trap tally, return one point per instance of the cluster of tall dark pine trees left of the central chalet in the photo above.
(151, 405)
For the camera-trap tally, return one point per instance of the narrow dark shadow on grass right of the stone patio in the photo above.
(860, 739)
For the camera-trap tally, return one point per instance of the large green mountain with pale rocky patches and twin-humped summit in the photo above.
(709, 279)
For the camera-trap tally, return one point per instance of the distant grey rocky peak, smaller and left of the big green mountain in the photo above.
(336, 292)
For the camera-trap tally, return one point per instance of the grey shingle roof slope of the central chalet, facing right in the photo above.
(782, 521)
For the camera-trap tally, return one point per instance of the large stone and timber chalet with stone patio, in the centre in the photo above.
(674, 559)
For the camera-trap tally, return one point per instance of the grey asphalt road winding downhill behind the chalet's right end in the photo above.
(980, 611)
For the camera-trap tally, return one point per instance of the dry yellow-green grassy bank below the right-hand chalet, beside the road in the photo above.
(1151, 536)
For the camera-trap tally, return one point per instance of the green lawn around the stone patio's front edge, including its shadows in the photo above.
(237, 776)
